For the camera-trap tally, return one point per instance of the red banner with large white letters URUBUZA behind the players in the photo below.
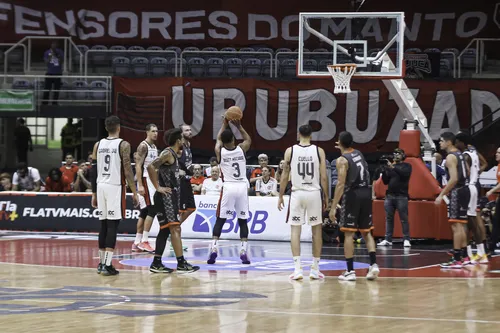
(273, 110)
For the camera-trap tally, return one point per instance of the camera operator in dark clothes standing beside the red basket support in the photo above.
(397, 176)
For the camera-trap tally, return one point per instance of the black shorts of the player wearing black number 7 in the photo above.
(356, 210)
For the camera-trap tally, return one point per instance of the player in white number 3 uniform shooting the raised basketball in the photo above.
(234, 194)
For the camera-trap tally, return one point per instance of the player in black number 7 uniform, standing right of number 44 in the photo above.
(356, 210)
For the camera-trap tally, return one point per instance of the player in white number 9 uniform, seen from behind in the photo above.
(110, 165)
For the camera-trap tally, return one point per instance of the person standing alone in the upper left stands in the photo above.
(54, 58)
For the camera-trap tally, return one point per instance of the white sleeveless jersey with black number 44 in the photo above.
(304, 168)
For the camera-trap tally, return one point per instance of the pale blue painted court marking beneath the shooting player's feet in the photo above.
(258, 264)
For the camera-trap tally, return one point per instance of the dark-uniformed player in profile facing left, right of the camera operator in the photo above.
(456, 170)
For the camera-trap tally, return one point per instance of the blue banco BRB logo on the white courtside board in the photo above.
(205, 218)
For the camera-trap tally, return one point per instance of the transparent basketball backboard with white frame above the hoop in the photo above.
(374, 41)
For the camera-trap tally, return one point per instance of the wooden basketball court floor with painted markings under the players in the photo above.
(49, 284)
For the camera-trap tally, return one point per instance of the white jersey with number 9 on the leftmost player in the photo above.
(109, 162)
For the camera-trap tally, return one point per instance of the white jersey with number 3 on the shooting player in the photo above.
(233, 164)
